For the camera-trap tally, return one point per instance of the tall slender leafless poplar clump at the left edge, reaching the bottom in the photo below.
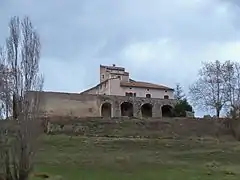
(20, 63)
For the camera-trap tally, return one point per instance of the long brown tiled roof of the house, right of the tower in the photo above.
(140, 84)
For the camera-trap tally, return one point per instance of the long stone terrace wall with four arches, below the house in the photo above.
(87, 105)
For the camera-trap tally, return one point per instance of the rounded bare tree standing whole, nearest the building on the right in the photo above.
(208, 91)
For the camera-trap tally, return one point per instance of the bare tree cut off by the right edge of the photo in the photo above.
(231, 77)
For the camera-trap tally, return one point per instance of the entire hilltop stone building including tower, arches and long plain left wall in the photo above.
(116, 95)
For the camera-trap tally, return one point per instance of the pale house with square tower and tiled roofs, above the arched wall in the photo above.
(116, 81)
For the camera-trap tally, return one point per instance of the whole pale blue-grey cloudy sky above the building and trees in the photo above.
(161, 41)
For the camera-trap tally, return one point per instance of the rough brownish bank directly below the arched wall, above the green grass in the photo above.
(133, 127)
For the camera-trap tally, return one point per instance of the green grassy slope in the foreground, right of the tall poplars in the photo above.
(82, 158)
